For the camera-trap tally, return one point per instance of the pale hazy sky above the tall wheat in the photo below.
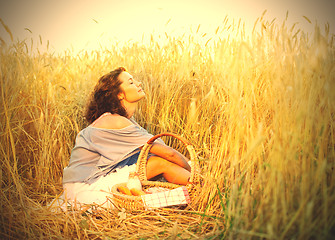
(84, 24)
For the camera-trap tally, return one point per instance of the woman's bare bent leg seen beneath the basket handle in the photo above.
(171, 172)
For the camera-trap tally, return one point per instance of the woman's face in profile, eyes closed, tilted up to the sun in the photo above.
(131, 89)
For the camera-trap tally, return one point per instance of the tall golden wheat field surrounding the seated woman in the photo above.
(258, 109)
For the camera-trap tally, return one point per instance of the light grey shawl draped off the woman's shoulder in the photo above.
(97, 151)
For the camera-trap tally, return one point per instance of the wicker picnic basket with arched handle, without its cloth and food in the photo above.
(121, 200)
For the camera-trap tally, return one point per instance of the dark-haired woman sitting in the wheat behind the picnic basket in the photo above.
(107, 150)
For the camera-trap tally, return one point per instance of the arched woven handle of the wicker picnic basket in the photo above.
(142, 159)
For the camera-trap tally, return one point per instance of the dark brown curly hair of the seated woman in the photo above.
(105, 96)
